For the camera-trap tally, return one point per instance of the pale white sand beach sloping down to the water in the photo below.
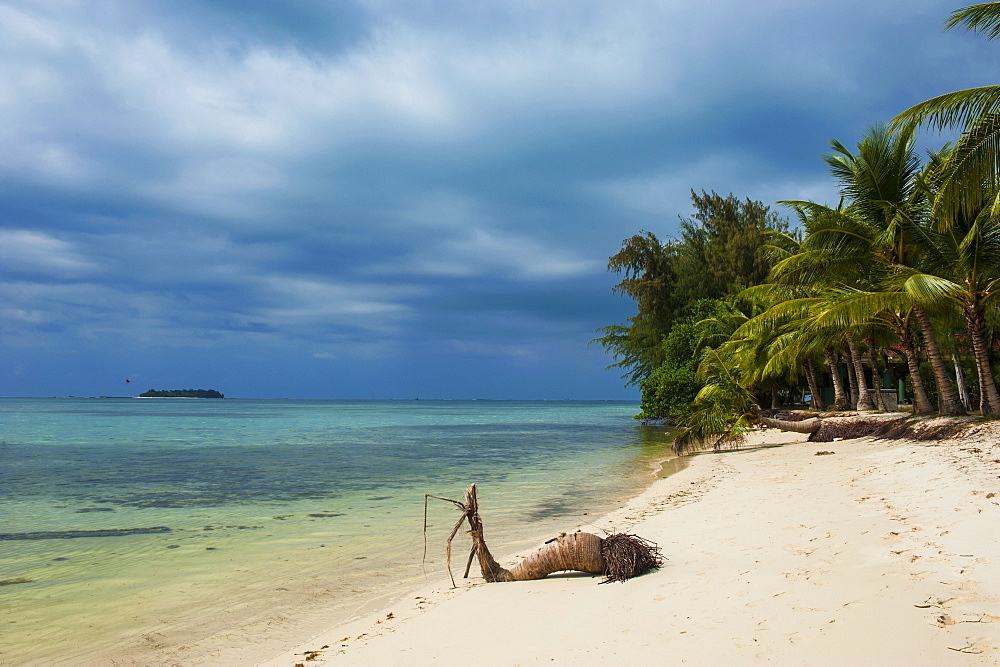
(881, 552)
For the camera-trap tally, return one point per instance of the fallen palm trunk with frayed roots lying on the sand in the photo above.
(618, 557)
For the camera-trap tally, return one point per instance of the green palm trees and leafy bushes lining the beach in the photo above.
(909, 261)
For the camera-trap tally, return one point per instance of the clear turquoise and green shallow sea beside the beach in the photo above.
(154, 531)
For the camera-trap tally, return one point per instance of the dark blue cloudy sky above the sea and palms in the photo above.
(401, 198)
